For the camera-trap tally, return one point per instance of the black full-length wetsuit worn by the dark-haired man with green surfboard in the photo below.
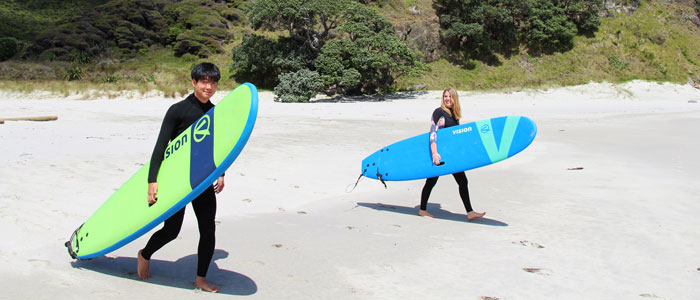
(178, 118)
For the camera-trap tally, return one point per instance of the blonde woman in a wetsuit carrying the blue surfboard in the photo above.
(447, 115)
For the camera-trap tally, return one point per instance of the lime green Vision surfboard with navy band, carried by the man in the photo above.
(192, 162)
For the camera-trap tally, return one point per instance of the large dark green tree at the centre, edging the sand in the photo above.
(350, 46)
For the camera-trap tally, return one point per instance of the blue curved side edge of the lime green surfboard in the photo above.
(227, 162)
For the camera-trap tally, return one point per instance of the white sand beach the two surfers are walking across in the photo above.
(605, 203)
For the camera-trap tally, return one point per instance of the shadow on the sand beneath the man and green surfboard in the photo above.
(179, 274)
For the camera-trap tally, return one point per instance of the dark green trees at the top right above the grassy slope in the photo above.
(478, 29)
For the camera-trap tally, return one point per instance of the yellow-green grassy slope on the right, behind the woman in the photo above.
(624, 48)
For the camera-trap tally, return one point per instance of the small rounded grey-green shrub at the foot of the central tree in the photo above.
(298, 86)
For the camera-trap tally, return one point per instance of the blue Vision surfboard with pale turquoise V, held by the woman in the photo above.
(461, 148)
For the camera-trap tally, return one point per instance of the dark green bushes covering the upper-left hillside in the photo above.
(197, 27)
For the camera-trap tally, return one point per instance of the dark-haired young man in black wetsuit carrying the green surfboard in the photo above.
(205, 78)
